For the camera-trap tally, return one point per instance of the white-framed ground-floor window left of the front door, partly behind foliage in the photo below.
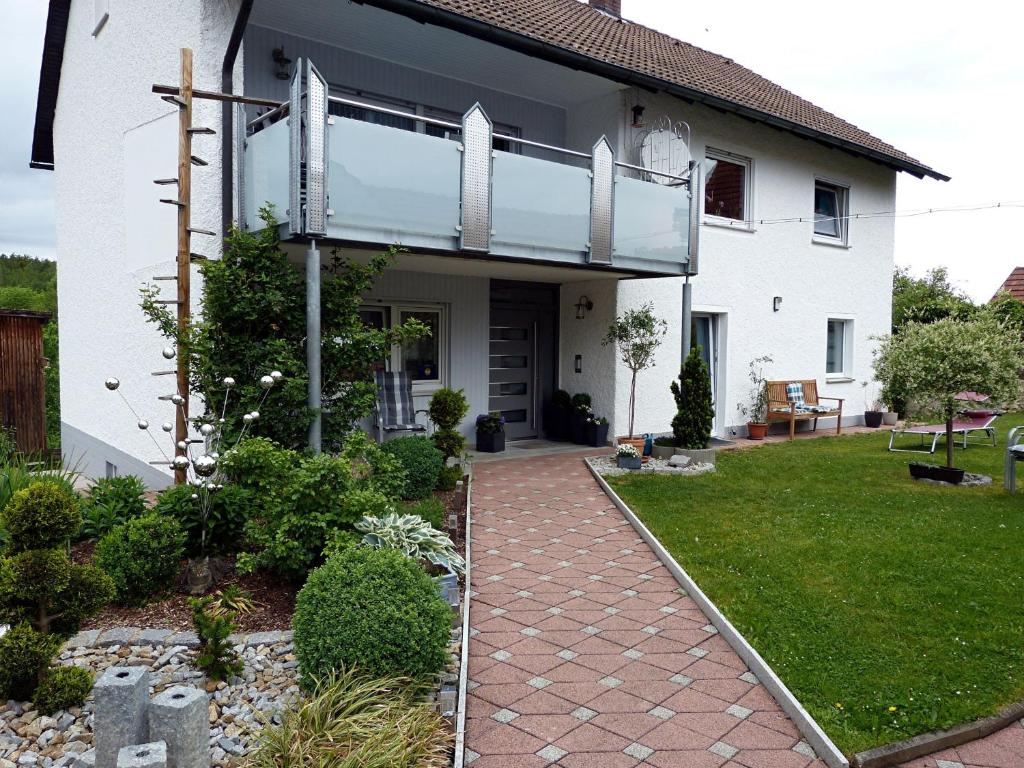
(423, 359)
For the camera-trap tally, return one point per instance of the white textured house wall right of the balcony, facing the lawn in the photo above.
(741, 272)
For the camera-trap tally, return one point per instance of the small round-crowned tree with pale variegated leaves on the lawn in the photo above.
(931, 364)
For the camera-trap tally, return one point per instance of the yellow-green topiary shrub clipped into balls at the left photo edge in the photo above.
(42, 595)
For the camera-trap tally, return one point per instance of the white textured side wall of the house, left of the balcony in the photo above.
(105, 123)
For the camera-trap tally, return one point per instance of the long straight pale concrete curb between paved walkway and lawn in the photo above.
(807, 727)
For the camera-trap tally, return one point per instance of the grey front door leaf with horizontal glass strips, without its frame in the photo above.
(514, 363)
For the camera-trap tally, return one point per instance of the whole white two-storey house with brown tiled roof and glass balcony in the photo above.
(526, 236)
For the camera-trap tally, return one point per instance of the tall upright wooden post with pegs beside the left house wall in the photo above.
(185, 249)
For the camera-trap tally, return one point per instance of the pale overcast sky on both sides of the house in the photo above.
(944, 82)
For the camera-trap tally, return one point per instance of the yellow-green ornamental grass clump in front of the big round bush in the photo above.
(351, 720)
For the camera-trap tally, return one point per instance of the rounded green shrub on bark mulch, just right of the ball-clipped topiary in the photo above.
(143, 557)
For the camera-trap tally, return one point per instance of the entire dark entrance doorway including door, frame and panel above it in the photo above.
(522, 354)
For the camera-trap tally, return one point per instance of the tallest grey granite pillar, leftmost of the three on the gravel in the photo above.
(122, 697)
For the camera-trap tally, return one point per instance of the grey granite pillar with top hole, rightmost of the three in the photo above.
(180, 717)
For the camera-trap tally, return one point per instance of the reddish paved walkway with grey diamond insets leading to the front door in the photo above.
(584, 652)
